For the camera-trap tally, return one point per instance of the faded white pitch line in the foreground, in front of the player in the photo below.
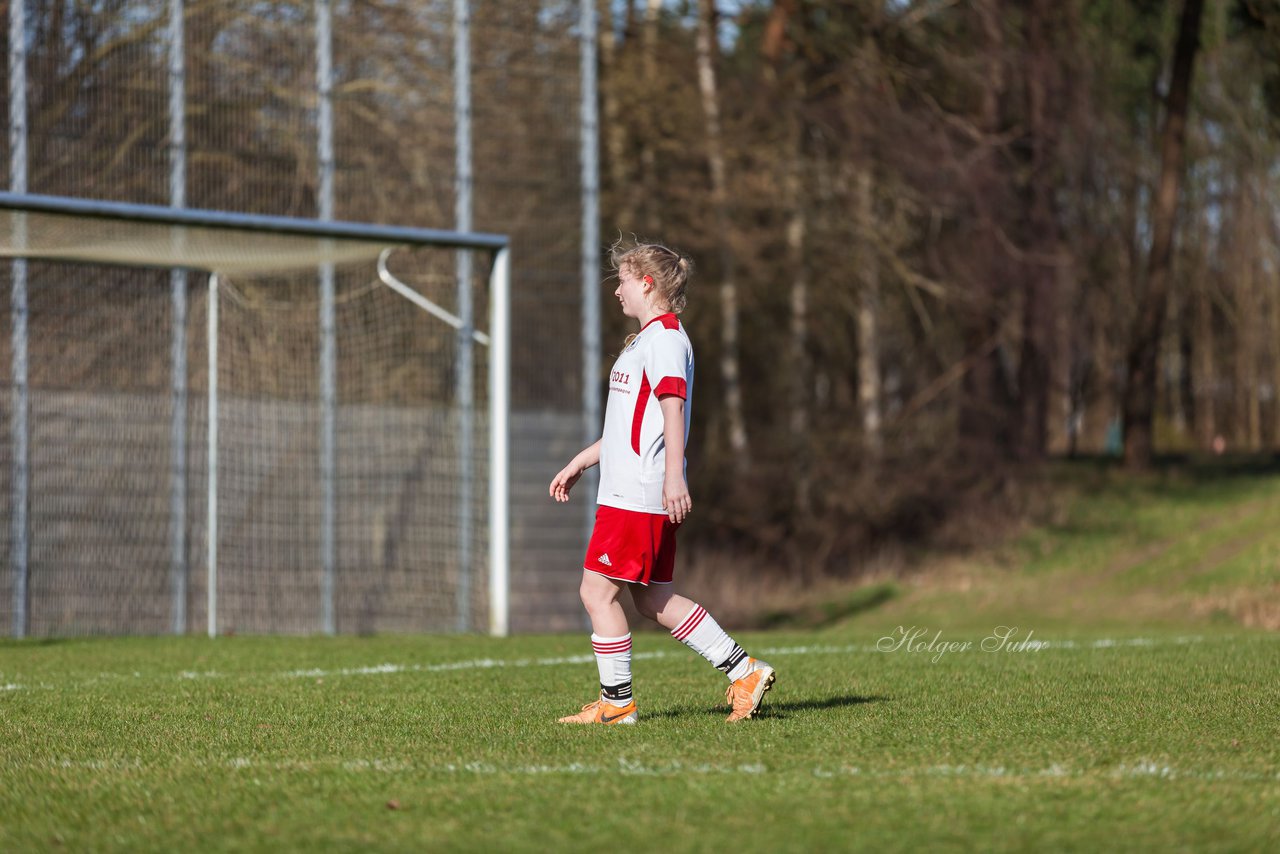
(1142, 770)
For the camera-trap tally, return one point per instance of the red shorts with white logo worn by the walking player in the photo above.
(629, 546)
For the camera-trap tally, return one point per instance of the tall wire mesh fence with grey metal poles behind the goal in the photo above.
(446, 115)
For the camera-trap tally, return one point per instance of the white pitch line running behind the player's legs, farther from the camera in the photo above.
(490, 664)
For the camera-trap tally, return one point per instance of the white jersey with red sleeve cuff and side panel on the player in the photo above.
(633, 451)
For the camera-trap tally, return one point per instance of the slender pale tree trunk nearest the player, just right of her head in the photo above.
(730, 366)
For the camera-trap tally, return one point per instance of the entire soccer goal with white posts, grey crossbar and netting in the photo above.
(252, 424)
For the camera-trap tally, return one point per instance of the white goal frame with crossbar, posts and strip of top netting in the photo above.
(58, 229)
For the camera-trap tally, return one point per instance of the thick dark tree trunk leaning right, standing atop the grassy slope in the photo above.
(1145, 344)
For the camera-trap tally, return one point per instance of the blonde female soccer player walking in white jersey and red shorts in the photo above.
(644, 497)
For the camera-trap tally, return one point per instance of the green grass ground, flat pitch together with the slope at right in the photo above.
(1153, 725)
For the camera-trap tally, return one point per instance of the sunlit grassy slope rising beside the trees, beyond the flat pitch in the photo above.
(1182, 547)
